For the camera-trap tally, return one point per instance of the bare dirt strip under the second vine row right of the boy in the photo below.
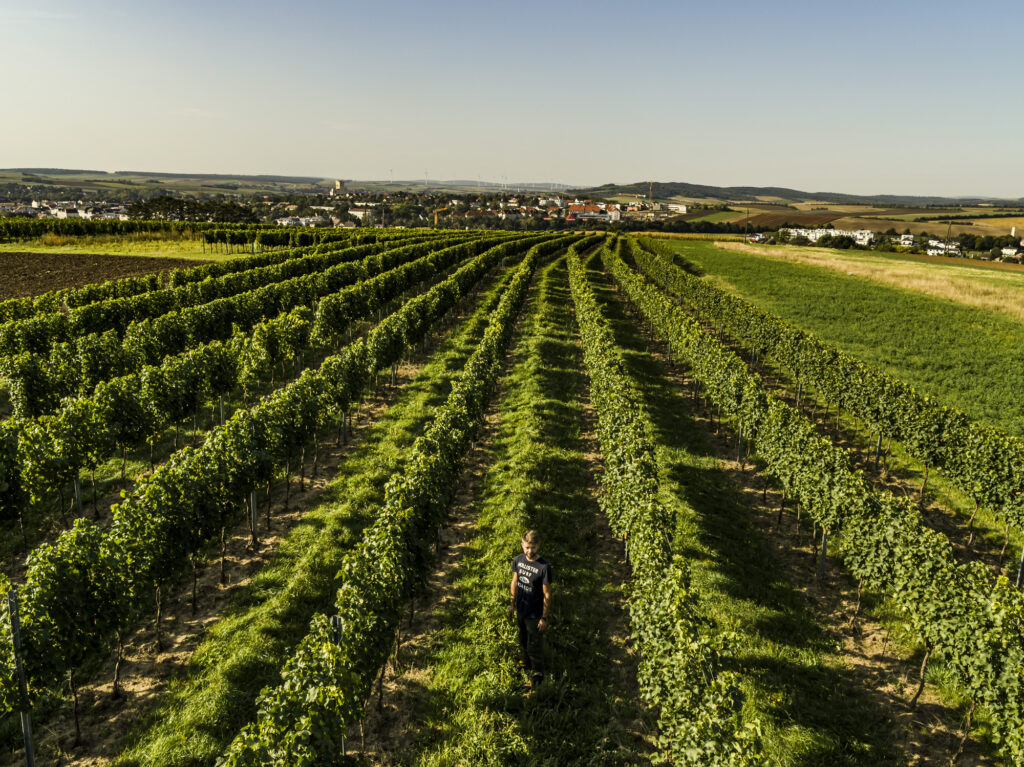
(878, 668)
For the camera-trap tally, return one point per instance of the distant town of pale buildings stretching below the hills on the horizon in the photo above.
(340, 207)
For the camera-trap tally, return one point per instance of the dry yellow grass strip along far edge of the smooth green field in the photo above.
(996, 290)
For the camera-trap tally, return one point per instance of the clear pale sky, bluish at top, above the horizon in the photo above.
(867, 98)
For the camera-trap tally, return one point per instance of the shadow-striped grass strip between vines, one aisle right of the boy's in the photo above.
(813, 709)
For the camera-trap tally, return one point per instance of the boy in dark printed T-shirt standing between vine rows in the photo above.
(532, 578)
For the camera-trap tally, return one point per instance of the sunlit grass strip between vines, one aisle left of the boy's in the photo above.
(245, 651)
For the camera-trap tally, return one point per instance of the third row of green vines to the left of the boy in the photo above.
(50, 438)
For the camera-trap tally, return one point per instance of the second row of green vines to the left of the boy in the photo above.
(106, 576)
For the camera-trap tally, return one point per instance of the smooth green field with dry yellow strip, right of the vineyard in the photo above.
(964, 355)
